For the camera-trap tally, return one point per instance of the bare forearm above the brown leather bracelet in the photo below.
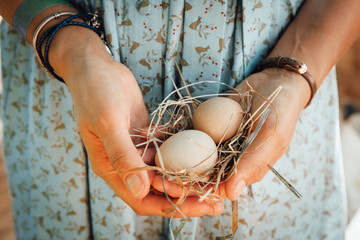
(320, 34)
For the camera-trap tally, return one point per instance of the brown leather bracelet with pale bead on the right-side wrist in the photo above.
(292, 65)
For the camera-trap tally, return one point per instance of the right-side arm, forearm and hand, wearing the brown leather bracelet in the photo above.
(318, 36)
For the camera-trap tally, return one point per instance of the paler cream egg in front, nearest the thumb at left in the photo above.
(190, 150)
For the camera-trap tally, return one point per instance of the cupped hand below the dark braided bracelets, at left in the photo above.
(107, 105)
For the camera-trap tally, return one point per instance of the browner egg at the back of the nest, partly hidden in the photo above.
(219, 117)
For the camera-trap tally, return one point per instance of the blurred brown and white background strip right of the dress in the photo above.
(348, 71)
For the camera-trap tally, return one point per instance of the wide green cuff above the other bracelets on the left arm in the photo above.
(27, 11)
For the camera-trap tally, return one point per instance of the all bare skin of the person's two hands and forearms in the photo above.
(318, 36)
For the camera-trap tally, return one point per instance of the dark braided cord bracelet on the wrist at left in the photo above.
(92, 23)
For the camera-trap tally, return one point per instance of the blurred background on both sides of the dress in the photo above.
(348, 70)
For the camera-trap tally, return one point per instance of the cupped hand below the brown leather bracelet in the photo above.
(276, 133)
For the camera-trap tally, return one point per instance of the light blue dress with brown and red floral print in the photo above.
(56, 195)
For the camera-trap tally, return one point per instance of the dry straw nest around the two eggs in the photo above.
(173, 116)
